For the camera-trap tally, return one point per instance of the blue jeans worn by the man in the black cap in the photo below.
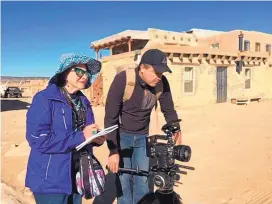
(133, 154)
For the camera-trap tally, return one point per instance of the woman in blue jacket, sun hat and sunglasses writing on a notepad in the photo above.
(60, 118)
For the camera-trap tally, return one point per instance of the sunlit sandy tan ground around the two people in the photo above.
(231, 152)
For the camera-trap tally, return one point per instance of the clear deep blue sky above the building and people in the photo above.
(35, 34)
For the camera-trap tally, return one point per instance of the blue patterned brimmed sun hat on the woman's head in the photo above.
(69, 60)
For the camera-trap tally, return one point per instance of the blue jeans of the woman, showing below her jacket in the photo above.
(57, 198)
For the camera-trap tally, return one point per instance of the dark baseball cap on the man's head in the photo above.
(157, 59)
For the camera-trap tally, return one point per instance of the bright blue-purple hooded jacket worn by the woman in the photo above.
(51, 138)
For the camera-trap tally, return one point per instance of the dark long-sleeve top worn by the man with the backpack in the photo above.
(133, 116)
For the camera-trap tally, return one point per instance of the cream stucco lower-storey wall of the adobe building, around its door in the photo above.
(205, 84)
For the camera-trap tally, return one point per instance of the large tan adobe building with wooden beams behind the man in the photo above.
(208, 66)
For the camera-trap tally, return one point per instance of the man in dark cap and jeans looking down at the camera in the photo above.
(133, 116)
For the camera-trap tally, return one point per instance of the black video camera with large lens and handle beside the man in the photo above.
(165, 171)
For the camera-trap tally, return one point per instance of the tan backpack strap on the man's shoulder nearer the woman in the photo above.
(130, 84)
